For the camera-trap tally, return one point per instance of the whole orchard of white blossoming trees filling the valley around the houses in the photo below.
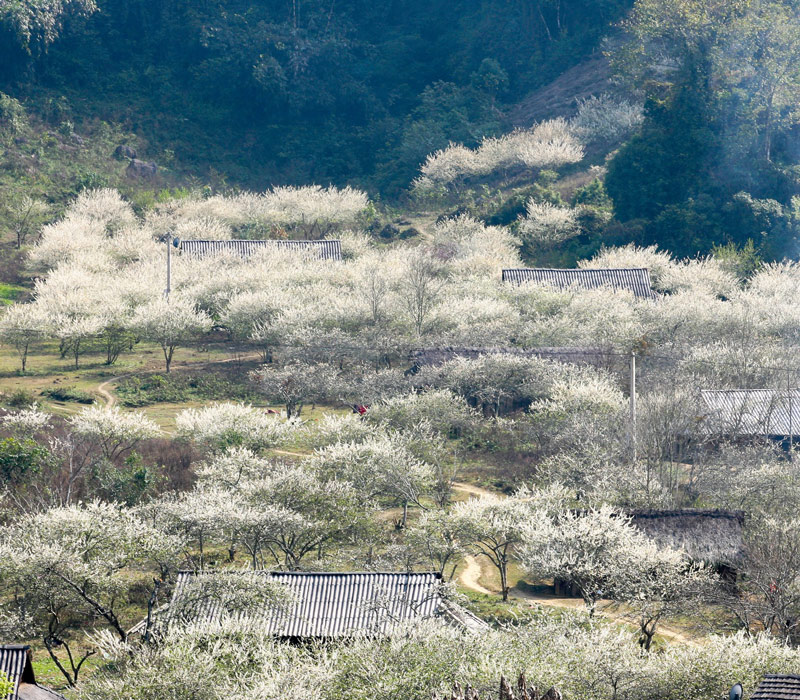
(415, 413)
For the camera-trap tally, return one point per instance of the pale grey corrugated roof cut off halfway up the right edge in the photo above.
(762, 412)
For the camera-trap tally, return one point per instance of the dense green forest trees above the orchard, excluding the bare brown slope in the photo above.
(248, 95)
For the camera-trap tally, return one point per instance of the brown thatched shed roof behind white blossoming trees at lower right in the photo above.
(712, 536)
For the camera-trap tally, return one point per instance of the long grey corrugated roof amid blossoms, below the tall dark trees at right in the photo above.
(636, 280)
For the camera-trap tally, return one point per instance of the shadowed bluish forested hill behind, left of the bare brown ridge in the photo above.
(292, 91)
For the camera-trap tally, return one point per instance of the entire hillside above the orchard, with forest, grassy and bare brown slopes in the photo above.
(689, 132)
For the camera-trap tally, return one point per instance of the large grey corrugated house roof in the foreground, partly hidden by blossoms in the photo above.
(334, 605)
